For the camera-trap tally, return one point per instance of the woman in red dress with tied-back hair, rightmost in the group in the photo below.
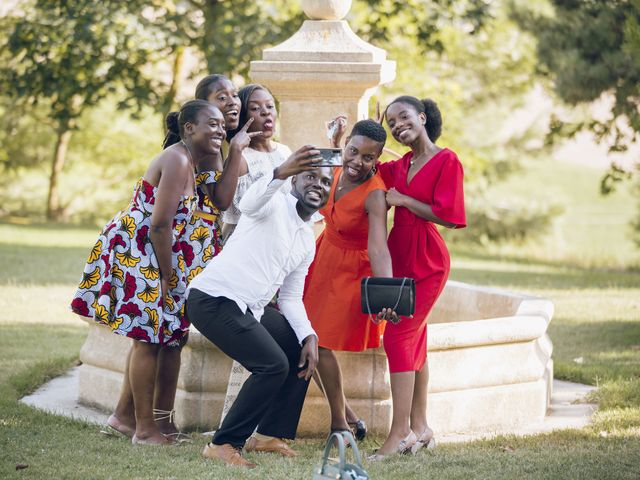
(425, 186)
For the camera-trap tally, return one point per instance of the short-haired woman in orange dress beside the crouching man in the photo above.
(353, 245)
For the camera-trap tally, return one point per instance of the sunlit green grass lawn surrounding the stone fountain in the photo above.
(595, 330)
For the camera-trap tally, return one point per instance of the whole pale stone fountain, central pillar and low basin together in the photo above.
(489, 354)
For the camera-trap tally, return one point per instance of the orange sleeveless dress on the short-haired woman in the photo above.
(332, 289)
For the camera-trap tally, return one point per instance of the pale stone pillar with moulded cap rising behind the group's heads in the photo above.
(322, 71)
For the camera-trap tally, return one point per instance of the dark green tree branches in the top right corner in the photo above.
(588, 48)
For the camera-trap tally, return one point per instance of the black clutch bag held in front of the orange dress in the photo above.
(399, 294)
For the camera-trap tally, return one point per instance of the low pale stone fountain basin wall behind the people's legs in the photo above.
(489, 359)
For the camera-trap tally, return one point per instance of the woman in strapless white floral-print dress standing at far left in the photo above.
(135, 278)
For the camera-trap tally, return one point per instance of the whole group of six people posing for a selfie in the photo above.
(219, 234)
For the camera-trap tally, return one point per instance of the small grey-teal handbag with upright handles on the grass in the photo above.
(339, 469)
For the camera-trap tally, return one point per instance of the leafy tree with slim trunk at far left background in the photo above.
(63, 57)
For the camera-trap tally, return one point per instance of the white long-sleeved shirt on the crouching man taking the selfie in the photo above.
(270, 249)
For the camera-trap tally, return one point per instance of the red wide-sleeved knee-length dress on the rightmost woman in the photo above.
(417, 249)
